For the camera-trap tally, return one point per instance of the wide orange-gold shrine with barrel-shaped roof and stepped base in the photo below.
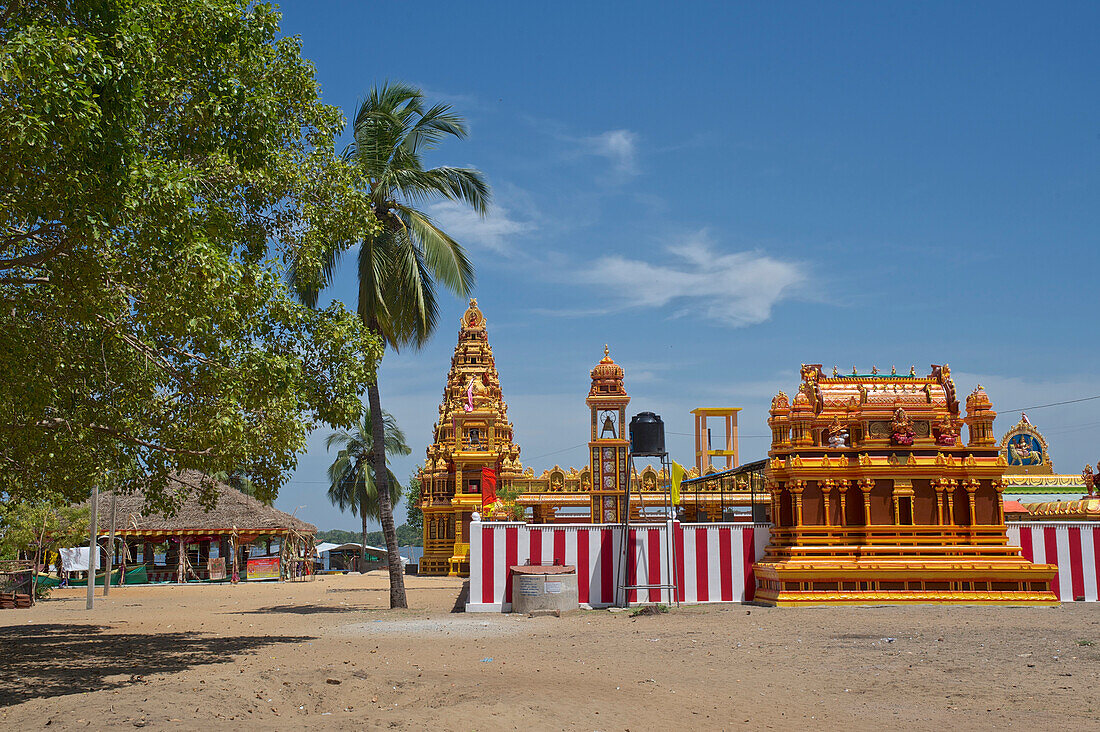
(875, 498)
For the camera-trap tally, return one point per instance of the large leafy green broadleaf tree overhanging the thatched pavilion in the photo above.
(161, 162)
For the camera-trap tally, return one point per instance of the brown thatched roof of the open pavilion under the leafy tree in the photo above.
(235, 514)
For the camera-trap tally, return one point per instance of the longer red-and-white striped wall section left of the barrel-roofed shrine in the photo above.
(713, 562)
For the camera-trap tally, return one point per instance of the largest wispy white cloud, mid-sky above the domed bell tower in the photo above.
(736, 289)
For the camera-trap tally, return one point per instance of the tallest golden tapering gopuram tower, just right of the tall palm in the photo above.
(474, 433)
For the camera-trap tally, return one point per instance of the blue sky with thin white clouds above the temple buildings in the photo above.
(722, 193)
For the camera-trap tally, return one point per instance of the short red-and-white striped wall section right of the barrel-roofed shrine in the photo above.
(1074, 548)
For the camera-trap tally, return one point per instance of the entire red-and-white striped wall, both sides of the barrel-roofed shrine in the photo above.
(713, 562)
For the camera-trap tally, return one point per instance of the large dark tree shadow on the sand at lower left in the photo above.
(59, 660)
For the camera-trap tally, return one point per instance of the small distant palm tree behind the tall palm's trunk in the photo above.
(353, 486)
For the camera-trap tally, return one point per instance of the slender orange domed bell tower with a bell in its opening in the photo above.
(608, 443)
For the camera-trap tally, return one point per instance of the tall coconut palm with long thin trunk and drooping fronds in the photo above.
(399, 267)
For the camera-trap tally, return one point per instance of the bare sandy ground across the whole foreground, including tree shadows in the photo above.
(328, 654)
